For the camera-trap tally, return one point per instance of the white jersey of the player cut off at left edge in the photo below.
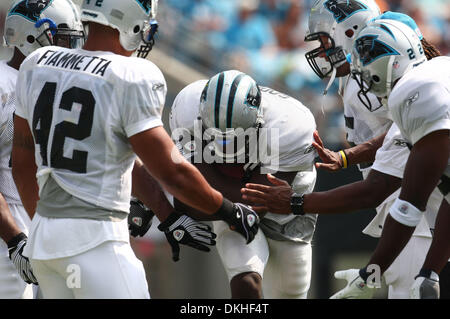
(8, 100)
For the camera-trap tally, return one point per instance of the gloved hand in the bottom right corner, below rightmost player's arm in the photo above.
(425, 286)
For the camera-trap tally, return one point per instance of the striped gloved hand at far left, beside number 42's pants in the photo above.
(22, 264)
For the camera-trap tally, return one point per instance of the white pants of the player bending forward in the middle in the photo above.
(284, 266)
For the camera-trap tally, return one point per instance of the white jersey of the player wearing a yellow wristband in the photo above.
(362, 125)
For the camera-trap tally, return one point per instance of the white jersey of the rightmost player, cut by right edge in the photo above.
(420, 101)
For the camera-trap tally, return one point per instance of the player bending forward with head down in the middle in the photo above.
(208, 121)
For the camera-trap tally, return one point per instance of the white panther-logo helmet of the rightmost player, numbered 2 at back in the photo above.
(383, 52)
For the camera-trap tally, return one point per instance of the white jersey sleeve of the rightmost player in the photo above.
(422, 110)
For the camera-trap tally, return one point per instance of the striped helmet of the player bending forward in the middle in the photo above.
(230, 104)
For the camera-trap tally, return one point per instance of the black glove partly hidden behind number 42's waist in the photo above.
(140, 218)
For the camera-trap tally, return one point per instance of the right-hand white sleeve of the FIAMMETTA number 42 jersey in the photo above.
(144, 100)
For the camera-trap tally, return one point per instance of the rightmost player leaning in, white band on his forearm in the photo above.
(389, 61)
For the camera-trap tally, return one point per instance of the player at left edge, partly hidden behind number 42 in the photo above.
(29, 25)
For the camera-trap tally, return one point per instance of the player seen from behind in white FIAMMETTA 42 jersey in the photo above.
(81, 116)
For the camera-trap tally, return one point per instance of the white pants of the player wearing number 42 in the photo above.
(108, 271)
